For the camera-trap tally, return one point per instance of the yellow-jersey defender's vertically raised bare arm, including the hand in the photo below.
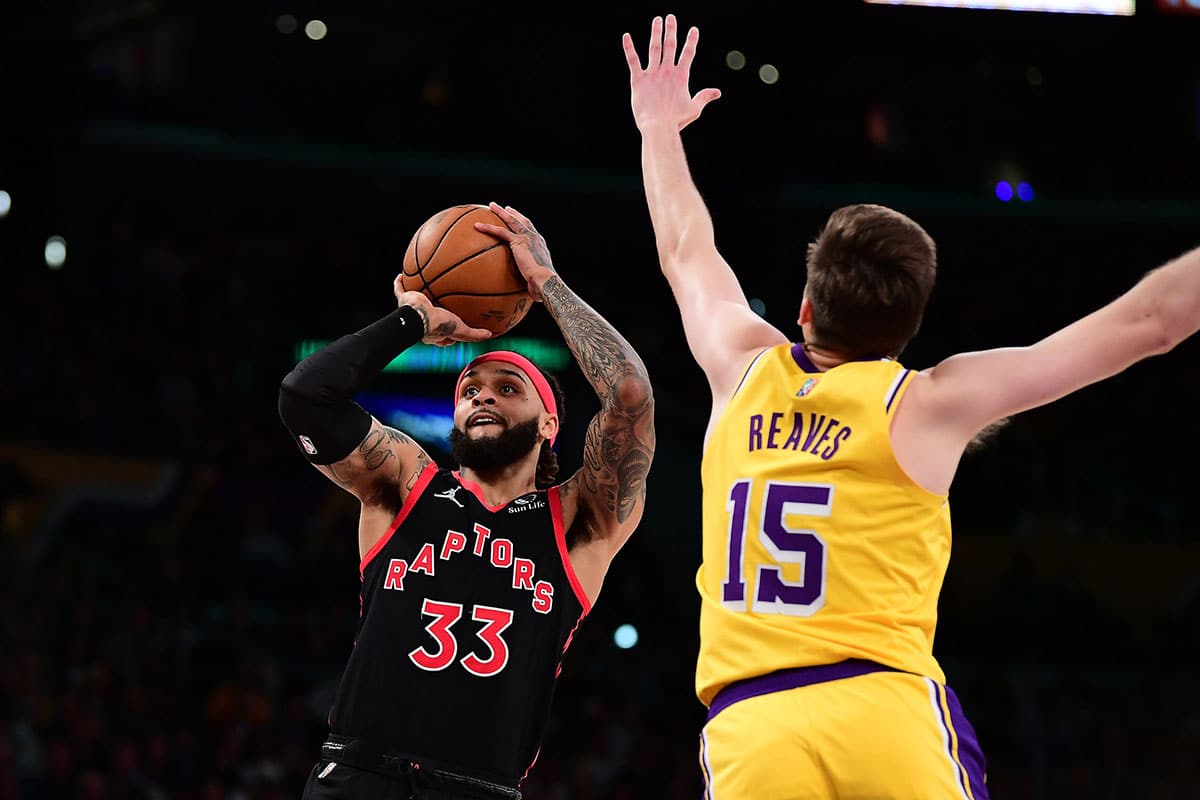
(724, 333)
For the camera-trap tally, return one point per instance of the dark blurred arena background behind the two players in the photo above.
(179, 588)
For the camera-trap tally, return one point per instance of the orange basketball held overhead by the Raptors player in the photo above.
(466, 272)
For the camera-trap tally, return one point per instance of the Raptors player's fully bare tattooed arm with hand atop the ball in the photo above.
(608, 495)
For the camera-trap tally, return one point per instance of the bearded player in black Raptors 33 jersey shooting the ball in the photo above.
(473, 581)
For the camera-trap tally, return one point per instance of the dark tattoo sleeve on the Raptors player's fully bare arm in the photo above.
(620, 442)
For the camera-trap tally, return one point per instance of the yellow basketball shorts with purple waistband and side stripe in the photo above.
(853, 731)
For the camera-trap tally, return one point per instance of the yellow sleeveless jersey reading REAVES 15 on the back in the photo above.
(818, 546)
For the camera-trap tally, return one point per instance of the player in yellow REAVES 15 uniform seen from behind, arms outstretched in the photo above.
(826, 473)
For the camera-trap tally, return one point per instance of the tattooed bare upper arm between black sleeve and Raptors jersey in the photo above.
(383, 470)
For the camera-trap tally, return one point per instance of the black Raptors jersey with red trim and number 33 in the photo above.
(466, 615)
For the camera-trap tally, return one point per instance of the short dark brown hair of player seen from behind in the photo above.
(871, 274)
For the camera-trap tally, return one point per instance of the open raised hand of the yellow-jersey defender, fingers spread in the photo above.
(659, 94)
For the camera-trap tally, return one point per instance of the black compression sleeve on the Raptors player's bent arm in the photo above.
(315, 399)
